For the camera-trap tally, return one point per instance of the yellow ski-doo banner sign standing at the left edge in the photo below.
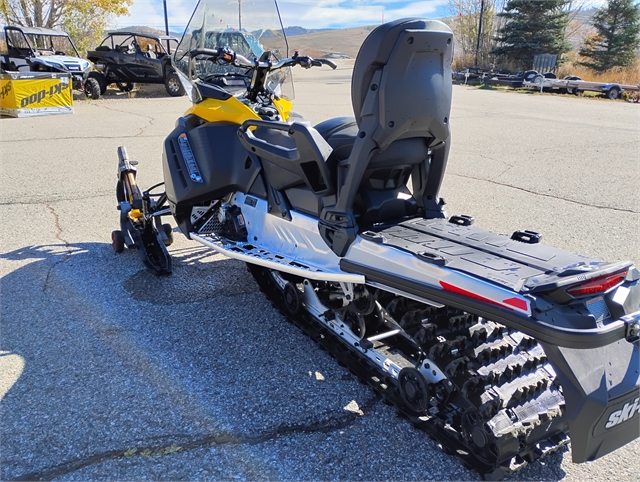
(27, 94)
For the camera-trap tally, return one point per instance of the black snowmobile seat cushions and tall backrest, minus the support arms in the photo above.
(406, 115)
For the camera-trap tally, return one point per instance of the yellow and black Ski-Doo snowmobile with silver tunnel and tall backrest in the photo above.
(502, 348)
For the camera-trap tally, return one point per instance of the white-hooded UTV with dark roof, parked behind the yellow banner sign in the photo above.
(37, 49)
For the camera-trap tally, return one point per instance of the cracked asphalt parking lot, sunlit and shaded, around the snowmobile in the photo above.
(110, 373)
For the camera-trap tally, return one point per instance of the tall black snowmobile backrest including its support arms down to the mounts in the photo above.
(400, 92)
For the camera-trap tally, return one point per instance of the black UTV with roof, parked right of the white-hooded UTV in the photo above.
(125, 58)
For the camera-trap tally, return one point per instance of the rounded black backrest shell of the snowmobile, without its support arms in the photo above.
(413, 59)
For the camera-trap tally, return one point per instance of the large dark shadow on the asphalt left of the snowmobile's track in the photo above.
(118, 363)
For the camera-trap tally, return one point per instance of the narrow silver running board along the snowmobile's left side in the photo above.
(249, 253)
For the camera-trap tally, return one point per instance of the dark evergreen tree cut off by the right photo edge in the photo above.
(617, 36)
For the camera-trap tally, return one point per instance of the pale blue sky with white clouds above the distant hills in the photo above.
(304, 13)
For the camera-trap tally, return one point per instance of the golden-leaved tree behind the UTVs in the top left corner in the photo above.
(83, 20)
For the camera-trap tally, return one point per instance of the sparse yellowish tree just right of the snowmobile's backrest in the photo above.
(465, 21)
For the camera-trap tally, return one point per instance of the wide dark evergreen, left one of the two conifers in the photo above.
(531, 28)
